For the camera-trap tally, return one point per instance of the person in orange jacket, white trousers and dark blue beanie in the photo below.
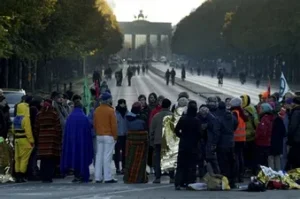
(105, 124)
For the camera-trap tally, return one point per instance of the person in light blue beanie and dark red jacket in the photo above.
(263, 134)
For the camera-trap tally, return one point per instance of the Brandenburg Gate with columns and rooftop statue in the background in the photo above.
(140, 26)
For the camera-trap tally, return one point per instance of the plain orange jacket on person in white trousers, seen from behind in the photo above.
(105, 121)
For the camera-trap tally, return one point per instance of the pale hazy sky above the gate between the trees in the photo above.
(156, 10)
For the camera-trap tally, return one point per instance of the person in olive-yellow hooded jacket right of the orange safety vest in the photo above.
(251, 124)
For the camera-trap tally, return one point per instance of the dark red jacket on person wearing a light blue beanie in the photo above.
(264, 130)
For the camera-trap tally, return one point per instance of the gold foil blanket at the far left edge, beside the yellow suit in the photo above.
(6, 154)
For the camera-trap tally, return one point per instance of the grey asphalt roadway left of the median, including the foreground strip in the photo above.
(64, 189)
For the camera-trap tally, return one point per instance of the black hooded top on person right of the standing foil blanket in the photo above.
(188, 129)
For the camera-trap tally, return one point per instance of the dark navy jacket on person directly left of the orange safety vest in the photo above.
(228, 124)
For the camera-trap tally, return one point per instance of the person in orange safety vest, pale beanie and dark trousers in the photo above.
(239, 136)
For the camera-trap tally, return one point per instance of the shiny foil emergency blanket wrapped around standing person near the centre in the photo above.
(170, 142)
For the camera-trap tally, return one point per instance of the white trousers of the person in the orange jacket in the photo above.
(105, 147)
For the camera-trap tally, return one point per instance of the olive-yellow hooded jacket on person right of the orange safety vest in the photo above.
(253, 120)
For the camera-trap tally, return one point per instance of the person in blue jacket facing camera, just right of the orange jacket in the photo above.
(121, 111)
